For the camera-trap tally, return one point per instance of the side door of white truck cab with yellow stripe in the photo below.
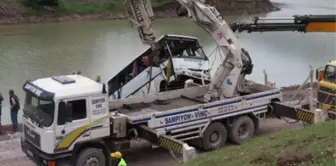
(68, 133)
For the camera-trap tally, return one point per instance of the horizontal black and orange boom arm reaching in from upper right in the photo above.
(304, 23)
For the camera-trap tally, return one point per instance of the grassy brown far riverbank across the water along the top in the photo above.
(13, 12)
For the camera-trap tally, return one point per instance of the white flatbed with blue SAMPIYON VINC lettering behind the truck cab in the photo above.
(157, 112)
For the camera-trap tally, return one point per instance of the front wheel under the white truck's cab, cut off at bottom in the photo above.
(91, 156)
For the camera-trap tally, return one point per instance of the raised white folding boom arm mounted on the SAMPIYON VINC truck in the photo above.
(229, 78)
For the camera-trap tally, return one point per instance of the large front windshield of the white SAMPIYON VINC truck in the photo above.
(39, 111)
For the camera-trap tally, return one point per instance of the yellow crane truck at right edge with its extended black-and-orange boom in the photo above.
(325, 76)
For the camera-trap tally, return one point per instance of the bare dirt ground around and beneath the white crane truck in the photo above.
(141, 154)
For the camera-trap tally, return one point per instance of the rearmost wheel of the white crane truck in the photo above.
(242, 130)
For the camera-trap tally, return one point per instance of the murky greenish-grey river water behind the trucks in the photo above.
(105, 47)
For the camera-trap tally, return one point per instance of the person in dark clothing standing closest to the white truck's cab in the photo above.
(14, 109)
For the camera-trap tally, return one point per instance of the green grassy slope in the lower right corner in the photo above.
(313, 145)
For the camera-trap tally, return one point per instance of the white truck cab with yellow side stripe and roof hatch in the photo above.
(61, 111)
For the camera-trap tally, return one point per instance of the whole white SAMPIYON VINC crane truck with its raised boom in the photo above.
(69, 118)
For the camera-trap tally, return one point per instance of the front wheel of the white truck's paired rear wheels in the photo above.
(214, 137)
